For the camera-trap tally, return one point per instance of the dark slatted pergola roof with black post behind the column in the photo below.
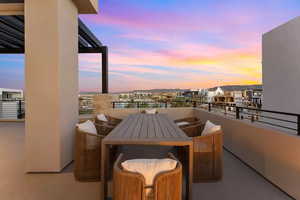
(12, 41)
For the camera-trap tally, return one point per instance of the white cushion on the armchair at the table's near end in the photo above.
(149, 168)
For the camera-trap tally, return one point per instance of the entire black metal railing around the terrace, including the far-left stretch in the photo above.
(14, 109)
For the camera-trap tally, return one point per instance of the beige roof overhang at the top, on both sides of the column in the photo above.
(16, 7)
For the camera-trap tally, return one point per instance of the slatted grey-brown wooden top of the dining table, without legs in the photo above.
(147, 129)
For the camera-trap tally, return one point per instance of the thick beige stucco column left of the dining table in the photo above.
(51, 83)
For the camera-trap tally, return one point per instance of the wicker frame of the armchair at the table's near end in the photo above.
(131, 186)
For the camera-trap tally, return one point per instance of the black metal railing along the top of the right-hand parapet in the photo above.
(284, 120)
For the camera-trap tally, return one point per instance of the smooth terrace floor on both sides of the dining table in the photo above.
(239, 182)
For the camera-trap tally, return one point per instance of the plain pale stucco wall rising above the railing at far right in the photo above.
(281, 67)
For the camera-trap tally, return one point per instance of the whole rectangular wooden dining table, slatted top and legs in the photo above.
(146, 129)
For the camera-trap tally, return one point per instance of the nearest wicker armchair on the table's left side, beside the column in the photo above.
(87, 158)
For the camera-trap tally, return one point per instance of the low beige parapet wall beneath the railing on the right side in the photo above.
(274, 154)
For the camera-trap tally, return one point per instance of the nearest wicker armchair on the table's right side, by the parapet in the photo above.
(208, 154)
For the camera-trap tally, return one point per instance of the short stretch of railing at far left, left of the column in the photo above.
(12, 109)
